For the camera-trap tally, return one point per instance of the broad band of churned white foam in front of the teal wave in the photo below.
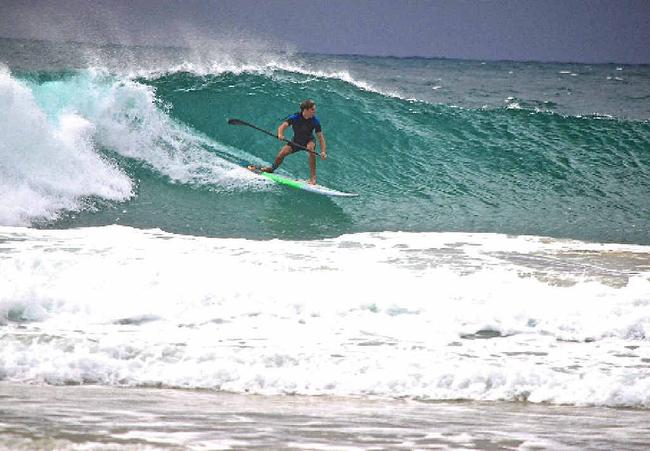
(431, 316)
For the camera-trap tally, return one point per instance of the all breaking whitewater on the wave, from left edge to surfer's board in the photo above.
(53, 133)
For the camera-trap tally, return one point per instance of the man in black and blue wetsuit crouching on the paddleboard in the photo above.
(304, 124)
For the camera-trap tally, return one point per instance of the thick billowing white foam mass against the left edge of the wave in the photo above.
(48, 163)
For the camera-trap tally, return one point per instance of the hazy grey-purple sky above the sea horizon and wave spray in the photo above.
(587, 31)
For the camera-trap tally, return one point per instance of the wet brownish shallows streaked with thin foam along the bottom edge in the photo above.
(95, 417)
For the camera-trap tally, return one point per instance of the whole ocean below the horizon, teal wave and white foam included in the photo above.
(498, 252)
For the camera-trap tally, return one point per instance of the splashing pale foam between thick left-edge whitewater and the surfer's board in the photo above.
(129, 120)
